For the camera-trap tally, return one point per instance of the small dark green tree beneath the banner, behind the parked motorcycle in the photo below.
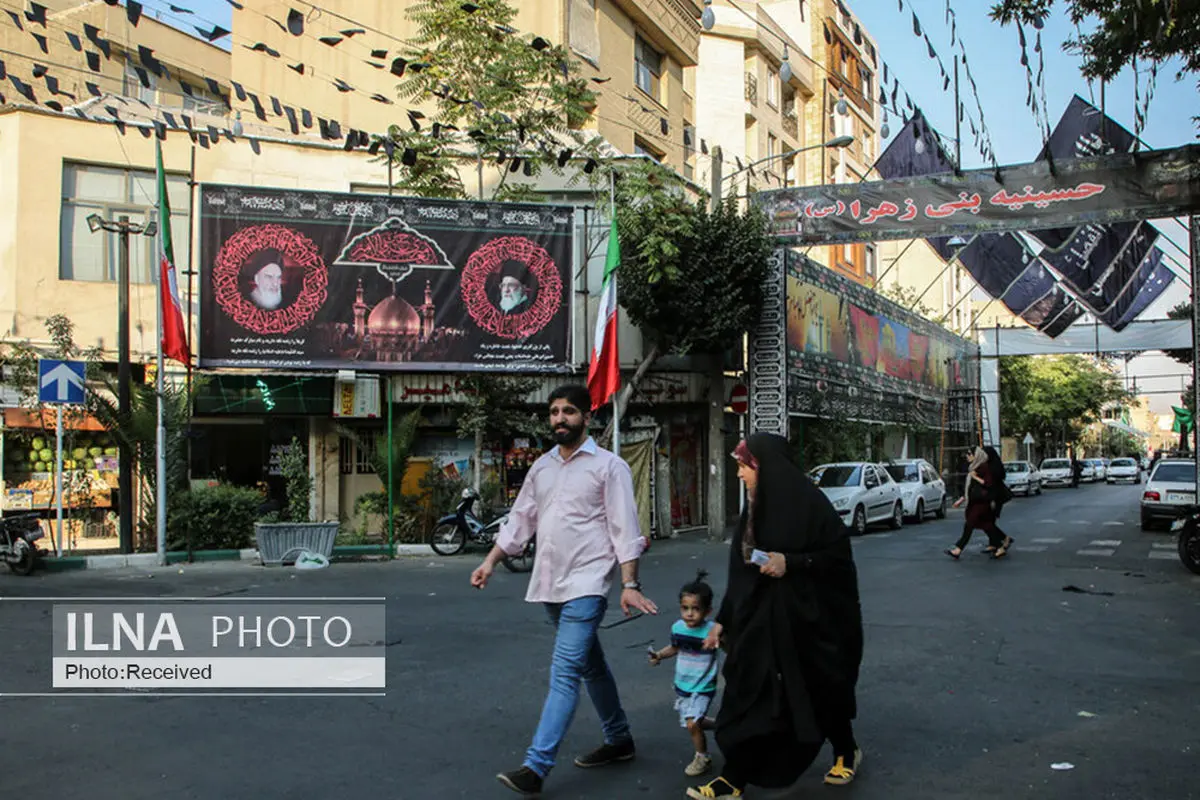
(495, 410)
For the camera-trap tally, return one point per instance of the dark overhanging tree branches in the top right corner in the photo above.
(1126, 32)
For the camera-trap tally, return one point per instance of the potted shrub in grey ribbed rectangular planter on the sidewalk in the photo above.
(296, 532)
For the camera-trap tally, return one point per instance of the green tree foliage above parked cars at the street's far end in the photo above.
(1055, 398)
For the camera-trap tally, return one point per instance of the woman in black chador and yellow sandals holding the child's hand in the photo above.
(791, 628)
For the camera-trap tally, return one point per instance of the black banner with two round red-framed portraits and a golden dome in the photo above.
(315, 280)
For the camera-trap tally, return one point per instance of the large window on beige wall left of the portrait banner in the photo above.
(113, 193)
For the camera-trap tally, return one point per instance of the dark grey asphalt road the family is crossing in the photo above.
(979, 677)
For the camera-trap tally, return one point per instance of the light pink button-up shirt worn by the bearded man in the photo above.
(586, 520)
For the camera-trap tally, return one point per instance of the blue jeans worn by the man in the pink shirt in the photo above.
(578, 657)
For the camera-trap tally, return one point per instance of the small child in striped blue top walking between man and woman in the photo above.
(695, 679)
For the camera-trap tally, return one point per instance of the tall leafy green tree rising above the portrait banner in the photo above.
(507, 103)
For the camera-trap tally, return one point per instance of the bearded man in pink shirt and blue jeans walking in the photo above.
(579, 500)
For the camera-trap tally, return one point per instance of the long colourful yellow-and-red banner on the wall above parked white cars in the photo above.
(847, 339)
